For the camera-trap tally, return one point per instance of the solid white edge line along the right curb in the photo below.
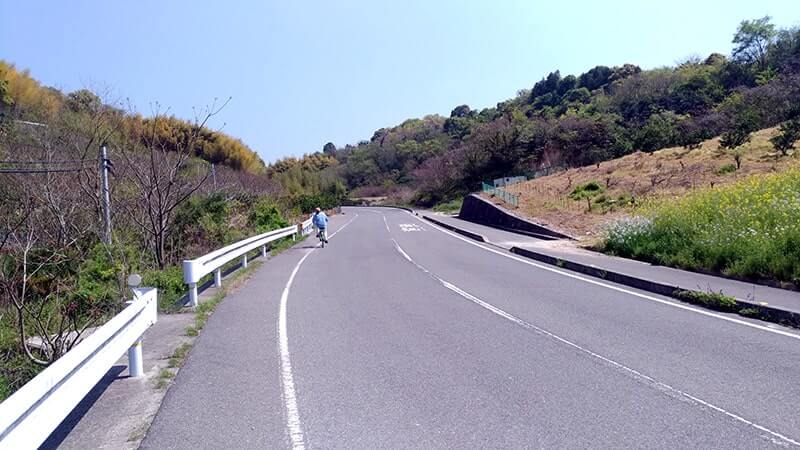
(616, 288)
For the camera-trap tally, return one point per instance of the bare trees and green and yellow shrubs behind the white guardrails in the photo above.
(177, 190)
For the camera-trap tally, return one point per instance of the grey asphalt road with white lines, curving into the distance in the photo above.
(401, 335)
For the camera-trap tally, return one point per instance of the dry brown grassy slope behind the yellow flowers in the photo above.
(645, 177)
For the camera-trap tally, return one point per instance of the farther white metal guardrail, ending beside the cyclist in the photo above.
(195, 269)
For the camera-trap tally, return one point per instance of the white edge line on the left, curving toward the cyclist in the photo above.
(293, 423)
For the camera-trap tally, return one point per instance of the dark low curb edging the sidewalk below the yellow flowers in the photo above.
(743, 307)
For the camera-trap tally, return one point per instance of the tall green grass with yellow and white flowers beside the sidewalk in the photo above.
(750, 229)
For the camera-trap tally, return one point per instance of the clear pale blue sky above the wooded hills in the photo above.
(304, 73)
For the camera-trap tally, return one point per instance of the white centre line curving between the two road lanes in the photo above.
(635, 373)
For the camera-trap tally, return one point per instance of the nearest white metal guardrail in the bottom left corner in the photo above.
(34, 411)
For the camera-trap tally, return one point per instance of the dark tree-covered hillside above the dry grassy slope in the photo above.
(582, 119)
